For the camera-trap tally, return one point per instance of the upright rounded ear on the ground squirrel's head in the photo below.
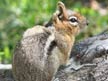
(62, 10)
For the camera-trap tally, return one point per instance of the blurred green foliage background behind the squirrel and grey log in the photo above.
(18, 15)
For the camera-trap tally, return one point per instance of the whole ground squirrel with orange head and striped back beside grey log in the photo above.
(41, 51)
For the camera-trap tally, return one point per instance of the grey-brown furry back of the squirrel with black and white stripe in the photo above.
(34, 55)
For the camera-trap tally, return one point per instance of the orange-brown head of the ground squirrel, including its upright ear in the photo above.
(67, 20)
